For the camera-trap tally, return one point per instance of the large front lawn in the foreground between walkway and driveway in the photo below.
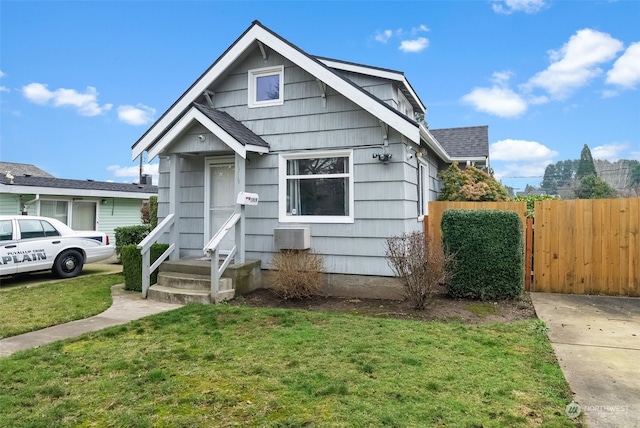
(224, 365)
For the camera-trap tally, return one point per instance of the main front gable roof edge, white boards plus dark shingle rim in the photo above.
(258, 33)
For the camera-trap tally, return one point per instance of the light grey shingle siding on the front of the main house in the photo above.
(385, 195)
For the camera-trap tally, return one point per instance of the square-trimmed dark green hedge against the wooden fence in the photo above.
(488, 250)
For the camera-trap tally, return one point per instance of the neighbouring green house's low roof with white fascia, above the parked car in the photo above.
(61, 186)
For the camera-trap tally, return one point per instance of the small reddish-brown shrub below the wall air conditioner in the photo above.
(297, 274)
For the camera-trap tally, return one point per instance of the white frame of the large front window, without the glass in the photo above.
(282, 187)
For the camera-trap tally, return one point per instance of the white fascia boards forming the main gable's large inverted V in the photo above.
(404, 126)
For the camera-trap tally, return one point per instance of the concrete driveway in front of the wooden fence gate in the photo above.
(597, 342)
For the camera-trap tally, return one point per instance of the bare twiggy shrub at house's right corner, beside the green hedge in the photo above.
(423, 268)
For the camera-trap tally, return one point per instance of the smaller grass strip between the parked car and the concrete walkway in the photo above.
(27, 309)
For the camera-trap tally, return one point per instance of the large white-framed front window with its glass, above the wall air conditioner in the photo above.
(316, 187)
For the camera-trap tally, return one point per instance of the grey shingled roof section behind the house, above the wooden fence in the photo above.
(467, 142)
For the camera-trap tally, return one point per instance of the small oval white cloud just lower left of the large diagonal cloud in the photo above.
(498, 101)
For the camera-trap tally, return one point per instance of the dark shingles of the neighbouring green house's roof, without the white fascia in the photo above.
(62, 183)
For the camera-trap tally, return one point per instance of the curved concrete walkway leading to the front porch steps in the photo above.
(127, 306)
